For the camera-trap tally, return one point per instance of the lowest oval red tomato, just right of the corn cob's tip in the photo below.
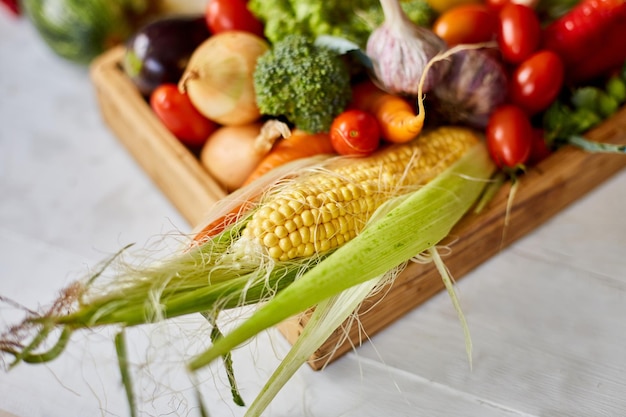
(509, 136)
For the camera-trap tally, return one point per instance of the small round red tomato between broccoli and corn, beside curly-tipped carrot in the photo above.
(355, 132)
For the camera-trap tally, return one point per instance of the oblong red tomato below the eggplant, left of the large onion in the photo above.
(179, 116)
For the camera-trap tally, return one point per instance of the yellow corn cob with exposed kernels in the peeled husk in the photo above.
(331, 206)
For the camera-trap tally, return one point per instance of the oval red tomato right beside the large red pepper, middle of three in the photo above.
(537, 81)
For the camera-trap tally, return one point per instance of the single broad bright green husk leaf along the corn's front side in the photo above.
(419, 223)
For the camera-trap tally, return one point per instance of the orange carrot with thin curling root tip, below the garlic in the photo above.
(396, 117)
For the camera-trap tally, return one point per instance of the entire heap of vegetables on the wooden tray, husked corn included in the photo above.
(351, 140)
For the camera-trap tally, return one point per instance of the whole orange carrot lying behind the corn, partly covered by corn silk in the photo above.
(298, 145)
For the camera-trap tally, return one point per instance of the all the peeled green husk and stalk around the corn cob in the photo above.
(206, 279)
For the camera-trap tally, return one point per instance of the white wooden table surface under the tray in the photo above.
(547, 316)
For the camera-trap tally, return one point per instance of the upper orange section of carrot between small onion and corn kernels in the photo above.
(298, 145)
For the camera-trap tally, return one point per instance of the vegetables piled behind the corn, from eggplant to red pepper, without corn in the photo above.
(330, 69)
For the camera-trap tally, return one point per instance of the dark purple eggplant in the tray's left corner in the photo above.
(158, 52)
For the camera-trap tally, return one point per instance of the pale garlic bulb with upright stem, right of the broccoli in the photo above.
(400, 50)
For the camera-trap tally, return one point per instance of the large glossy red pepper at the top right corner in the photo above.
(590, 38)
